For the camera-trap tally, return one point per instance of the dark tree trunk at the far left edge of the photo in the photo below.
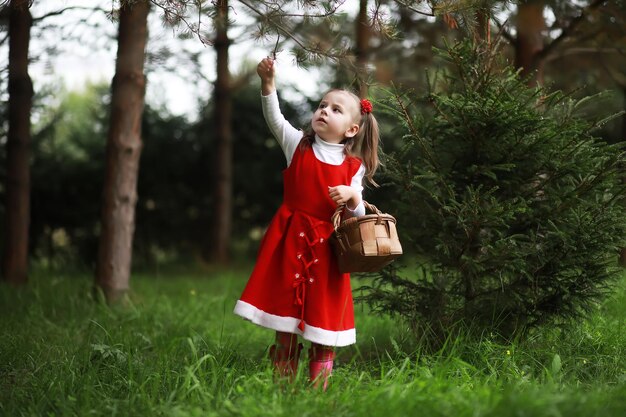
(17, 220)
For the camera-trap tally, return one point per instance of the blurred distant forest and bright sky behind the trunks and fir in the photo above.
(578, 48)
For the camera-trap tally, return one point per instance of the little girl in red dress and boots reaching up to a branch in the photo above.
(296, 287)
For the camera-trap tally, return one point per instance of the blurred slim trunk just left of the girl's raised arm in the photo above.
(223, 182)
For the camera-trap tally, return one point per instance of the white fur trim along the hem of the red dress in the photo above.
(290, 325)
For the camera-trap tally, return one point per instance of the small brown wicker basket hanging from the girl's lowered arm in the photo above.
(365, 243)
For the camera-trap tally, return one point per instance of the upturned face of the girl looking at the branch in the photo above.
(334, 119)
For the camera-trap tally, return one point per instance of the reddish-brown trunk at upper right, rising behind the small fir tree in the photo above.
(530, 24)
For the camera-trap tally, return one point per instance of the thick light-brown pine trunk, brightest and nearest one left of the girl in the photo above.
(123, 152)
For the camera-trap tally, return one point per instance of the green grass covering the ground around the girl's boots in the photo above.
(179, 351)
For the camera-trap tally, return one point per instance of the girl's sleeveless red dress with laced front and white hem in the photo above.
(296, 286)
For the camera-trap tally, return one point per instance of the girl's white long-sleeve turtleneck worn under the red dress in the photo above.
(289, 138)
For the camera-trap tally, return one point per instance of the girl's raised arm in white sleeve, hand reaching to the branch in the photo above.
(288, 137)
